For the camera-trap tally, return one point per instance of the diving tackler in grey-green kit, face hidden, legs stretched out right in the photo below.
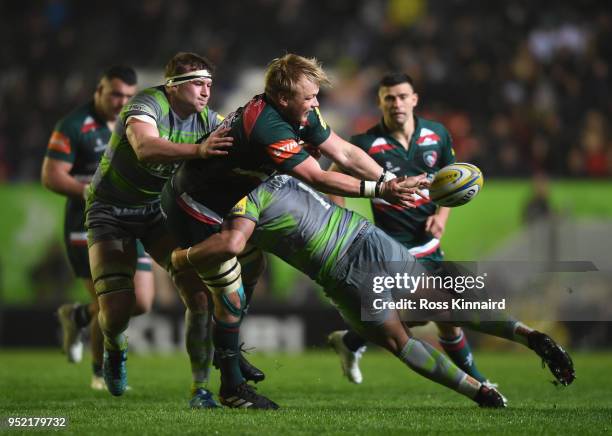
(341, 251)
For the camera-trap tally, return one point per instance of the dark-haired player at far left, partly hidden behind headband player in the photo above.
(73, 153)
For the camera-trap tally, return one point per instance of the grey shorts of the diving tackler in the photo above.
(373, 254)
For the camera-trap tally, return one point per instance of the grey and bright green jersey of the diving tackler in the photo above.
(300, 225)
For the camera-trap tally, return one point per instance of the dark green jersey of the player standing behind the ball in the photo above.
(430, 149)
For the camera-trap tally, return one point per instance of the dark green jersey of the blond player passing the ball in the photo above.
(264, 142)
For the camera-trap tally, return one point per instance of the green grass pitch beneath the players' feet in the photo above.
(314, 398)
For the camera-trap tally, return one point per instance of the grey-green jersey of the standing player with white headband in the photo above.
(123, 180)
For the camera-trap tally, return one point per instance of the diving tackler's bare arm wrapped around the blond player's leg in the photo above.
(217, 249)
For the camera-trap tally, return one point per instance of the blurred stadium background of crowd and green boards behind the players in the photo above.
(524, 88)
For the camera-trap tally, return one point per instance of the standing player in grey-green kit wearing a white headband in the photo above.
(157, 129)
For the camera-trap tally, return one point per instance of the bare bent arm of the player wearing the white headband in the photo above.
(149, 147)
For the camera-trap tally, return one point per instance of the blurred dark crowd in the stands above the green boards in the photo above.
(523, 86)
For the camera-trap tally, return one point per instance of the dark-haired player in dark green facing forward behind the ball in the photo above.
(407, 144)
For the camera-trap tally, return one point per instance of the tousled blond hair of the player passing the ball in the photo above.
(283, 74)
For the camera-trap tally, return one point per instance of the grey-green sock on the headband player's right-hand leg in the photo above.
(198, 340)
